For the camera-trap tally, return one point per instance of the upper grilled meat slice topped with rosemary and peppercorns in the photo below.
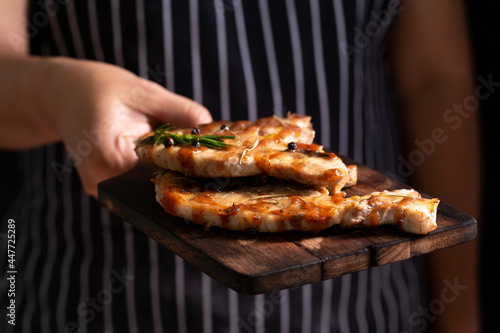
(258, 148)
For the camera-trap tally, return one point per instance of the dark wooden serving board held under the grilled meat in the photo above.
(253, 264)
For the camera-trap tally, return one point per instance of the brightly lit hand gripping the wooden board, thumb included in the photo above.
(98, 109)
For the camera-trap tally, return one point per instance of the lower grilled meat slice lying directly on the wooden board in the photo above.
(277, 206)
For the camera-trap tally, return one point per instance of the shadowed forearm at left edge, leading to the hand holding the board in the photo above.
(24, 82)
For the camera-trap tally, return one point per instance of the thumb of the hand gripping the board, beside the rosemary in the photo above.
(166, 106)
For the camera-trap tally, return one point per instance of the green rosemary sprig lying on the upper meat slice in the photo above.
(162, 133)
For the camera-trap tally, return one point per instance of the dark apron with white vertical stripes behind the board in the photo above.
(81, 269)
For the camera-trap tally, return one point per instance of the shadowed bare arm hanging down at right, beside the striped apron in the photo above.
(432, 68)
